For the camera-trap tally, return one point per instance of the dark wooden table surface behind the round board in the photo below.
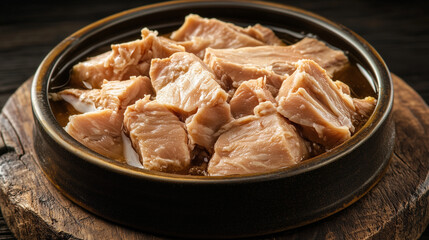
(400, 33)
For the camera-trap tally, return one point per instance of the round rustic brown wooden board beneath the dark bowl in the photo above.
(396, 208)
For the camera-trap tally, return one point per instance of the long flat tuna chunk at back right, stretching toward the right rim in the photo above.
(234, 66)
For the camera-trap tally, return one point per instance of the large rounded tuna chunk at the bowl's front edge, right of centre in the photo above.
(258, 143)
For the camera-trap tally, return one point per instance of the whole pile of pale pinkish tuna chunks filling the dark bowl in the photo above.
(213, 99)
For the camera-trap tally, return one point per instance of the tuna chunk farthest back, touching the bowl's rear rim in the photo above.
(204, 32)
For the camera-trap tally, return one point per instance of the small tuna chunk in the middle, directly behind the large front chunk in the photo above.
(248, 96)
